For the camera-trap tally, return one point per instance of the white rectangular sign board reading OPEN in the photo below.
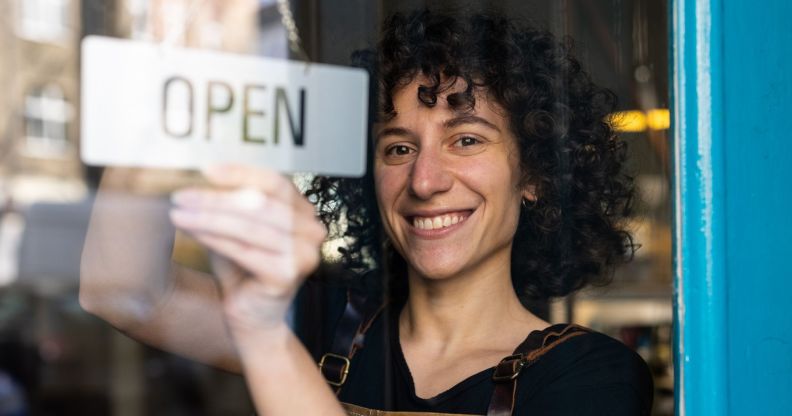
(150, 105)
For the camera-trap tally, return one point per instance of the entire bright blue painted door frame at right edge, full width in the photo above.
(732, 89)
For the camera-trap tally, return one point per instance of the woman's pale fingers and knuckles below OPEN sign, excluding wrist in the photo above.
(256, 219)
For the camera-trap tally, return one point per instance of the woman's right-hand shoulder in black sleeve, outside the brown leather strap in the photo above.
(589, 373)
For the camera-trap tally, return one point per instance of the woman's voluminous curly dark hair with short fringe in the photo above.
(574, 233)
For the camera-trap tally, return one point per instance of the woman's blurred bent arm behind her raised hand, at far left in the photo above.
(127, 276)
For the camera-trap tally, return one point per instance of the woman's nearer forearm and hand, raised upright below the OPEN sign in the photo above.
(265, 239)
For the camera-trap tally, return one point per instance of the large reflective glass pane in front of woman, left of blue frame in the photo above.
(143, 282)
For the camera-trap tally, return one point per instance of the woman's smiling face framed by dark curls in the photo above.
(448, 185)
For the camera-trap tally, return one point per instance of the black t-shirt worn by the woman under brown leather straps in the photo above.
(590, 374)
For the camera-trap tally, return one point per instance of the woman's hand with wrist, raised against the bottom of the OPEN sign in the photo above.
(264, 237)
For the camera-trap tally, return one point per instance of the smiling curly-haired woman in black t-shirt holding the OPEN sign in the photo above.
(493, 177)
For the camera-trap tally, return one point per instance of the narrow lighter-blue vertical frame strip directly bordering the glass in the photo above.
(700, 292)
